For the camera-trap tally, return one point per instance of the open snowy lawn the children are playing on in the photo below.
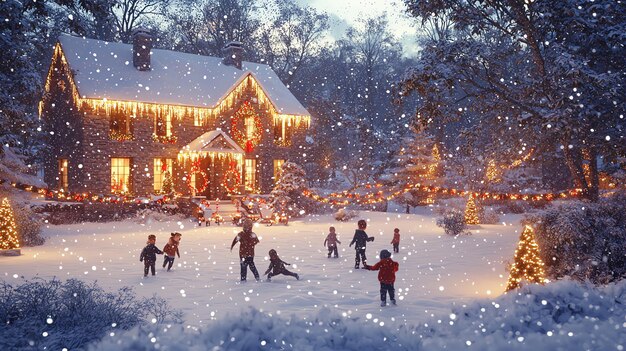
(436, 271)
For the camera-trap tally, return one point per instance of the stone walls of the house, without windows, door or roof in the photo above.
(83, 138)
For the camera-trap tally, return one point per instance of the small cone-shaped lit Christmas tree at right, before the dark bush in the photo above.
(527, 264)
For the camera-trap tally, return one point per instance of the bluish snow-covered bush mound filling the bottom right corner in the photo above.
(563, 315)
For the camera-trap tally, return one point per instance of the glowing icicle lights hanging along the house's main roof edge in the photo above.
(136, 108)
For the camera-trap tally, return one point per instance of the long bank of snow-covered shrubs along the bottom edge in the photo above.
(564, 315)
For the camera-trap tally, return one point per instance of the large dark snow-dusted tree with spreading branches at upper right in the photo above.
(526, 77)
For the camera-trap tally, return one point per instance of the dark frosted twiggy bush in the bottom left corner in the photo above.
(51, 314)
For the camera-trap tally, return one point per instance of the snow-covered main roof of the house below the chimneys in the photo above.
(105, 70)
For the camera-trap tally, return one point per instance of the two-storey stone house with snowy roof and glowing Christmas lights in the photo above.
(124, 118)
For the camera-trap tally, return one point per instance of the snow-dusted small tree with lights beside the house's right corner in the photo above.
(287, 197)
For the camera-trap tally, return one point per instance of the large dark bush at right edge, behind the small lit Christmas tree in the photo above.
(586, 241)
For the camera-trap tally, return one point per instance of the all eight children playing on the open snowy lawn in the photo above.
(248, 240)
